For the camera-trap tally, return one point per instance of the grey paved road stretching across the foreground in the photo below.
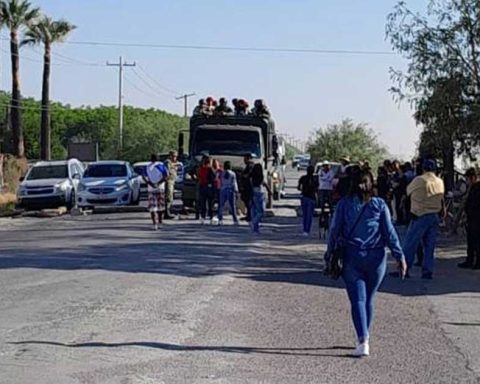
(103, 299)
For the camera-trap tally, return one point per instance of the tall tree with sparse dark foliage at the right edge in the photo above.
(442, 78)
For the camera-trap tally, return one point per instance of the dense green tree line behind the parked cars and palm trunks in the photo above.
(145, 130)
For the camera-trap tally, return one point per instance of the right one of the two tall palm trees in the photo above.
(47, 32)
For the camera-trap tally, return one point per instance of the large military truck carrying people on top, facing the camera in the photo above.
(228, 137)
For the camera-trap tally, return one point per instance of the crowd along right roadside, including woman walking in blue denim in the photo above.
(362, 225)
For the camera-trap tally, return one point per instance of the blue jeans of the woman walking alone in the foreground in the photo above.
(363, 273)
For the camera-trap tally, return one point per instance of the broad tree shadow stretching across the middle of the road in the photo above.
(188, 249)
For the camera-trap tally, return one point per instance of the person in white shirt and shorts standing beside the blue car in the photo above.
(155, 176)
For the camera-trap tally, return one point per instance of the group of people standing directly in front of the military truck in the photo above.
(219, 183)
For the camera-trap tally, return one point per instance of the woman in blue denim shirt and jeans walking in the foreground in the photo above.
(363, 226)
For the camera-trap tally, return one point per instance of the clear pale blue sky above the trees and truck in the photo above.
(304, 91)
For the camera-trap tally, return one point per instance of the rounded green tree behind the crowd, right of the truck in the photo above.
(347, 139)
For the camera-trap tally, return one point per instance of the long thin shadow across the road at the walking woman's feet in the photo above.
(313, 351)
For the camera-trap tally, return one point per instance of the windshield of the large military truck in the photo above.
(227, 142)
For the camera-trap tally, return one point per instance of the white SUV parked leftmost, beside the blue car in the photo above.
(50, 184)
